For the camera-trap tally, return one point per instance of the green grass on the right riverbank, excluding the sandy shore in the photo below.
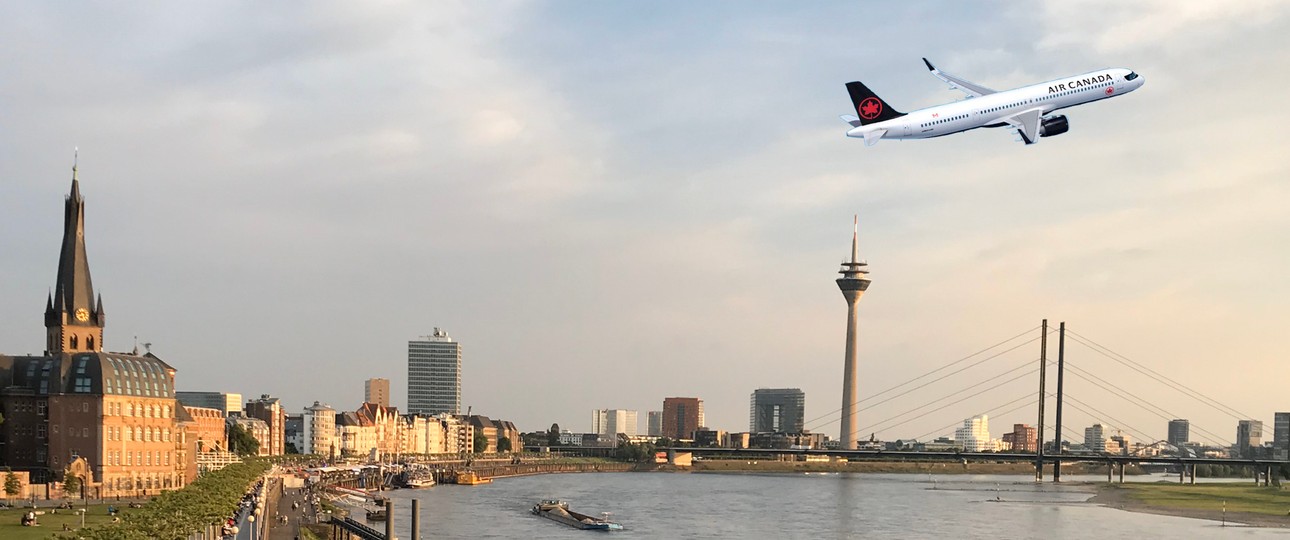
(1240, 498)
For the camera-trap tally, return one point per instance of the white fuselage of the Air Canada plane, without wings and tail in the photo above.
(995, 110)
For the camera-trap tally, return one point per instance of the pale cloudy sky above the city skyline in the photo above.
(615, 203)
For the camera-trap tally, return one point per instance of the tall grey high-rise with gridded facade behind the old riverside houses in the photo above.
(435, 376)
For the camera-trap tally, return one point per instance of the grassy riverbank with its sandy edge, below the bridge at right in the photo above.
(1252, 506)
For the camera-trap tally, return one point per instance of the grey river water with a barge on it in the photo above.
(829, 506)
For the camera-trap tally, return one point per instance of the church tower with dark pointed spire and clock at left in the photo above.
(74, 318)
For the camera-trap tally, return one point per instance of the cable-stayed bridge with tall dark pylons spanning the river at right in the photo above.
(1008, 378)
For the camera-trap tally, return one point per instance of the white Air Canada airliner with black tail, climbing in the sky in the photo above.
(1029, 110)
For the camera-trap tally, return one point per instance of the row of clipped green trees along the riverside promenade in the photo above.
(176, 515)
